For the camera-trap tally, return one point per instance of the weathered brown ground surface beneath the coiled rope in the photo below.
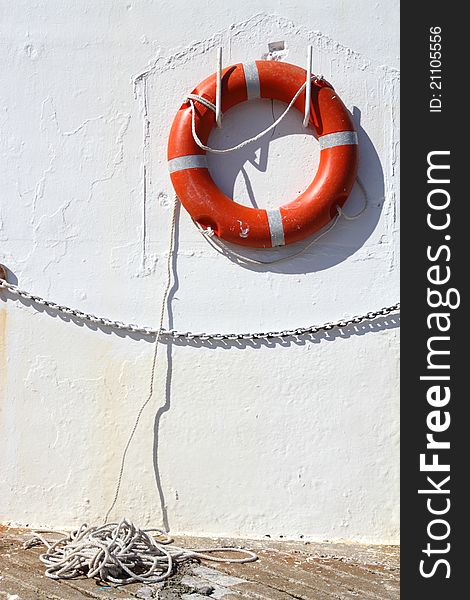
(285, 570)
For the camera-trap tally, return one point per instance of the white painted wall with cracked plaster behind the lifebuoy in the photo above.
(293, 439)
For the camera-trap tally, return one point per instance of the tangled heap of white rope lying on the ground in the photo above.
(121, 553)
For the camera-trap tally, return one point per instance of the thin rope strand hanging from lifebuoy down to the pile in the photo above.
(154, 357)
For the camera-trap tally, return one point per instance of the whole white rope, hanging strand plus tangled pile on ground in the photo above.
(122, 553)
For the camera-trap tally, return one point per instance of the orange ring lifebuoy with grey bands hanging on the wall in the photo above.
(254, 227)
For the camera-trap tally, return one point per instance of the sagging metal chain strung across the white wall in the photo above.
(173, 334)
